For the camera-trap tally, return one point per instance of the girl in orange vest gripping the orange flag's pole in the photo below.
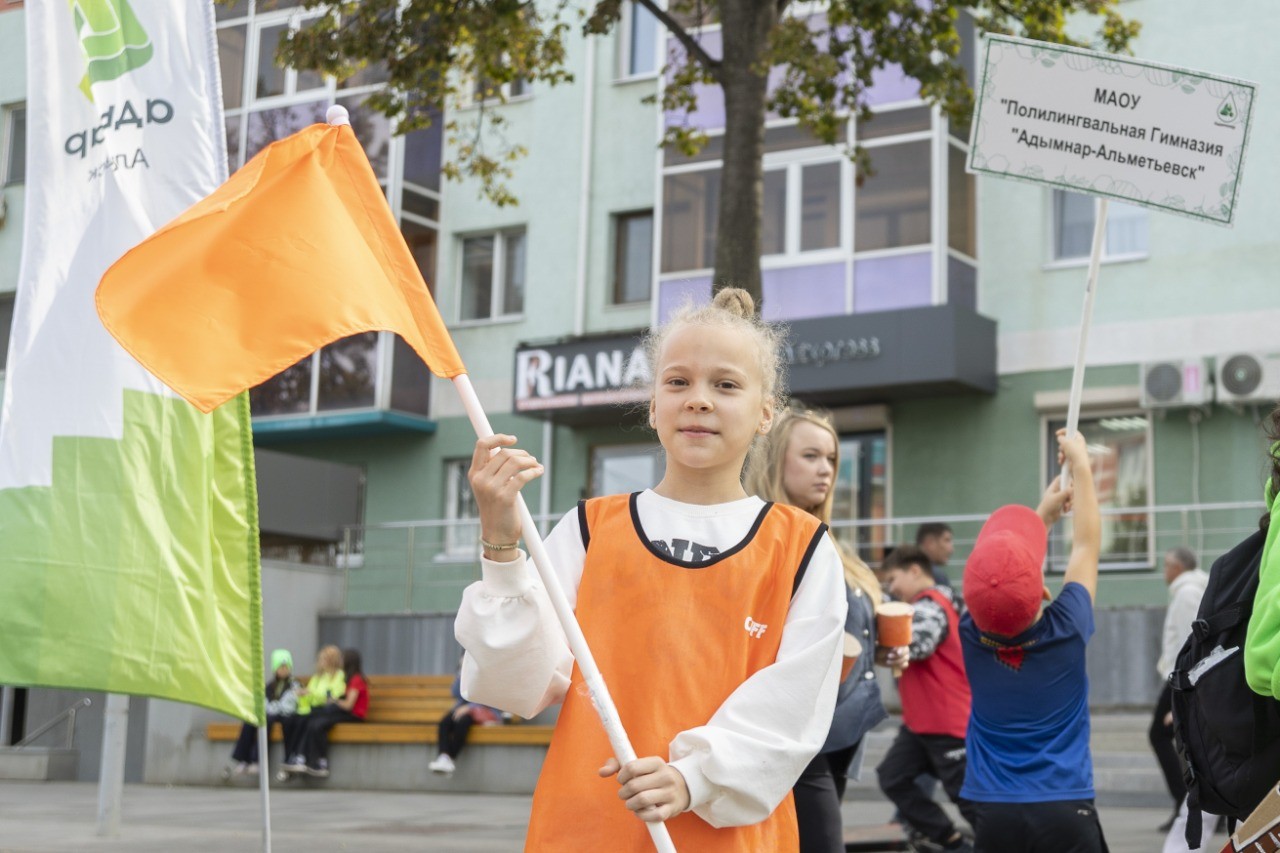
(716, 618)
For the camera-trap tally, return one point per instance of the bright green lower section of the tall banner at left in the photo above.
(138, 571)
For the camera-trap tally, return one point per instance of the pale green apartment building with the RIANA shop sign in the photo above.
(932, 313)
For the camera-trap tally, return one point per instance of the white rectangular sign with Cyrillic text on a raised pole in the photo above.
(1139, 133)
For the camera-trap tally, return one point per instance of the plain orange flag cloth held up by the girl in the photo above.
(296, 250)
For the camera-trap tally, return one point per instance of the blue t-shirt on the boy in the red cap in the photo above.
(1028, 736)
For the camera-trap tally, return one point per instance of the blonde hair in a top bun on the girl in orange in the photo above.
(734, 309)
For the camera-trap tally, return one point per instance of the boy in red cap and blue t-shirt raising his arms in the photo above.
(1030, 772)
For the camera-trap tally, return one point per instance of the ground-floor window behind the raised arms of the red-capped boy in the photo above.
(1121, 453)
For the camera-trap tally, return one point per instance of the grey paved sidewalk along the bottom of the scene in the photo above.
(61, 816)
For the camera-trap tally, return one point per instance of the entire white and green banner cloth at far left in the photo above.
(129, 521)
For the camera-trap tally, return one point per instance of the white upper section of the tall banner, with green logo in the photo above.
(125, 131)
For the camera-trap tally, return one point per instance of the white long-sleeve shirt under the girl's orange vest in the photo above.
(518, 659)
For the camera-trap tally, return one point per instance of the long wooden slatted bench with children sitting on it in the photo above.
(406, 709)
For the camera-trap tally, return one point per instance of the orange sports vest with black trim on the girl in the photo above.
(673, 642)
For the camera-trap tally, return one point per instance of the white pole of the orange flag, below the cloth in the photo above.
(601, 699)
